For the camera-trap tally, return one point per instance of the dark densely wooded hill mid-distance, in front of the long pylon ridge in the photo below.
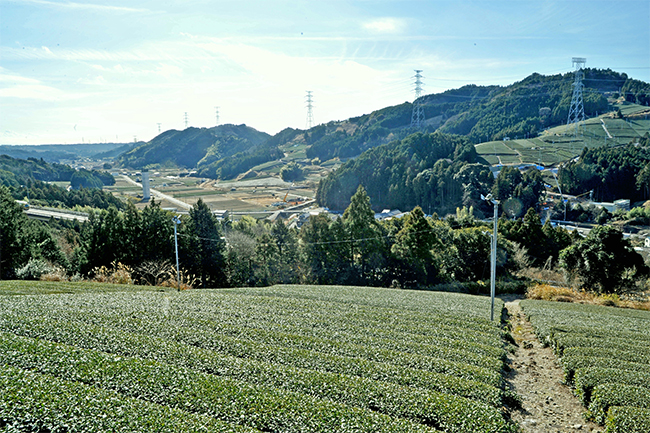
(435, 171)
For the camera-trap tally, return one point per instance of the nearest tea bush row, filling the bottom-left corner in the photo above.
(43, 402)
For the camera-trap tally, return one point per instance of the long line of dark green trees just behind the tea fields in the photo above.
(415, 251)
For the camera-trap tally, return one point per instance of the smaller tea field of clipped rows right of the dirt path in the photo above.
(605, 354)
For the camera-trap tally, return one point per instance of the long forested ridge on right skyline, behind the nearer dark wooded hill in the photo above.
(481, 113)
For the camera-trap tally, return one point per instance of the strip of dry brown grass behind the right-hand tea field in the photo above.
(547, 292)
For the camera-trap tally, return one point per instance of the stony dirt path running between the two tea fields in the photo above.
(548, 406)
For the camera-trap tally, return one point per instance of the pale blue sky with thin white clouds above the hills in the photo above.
(118, 71)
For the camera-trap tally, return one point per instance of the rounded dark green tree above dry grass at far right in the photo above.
(603, 262)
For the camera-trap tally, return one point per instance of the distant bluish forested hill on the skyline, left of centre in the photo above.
(194, 147)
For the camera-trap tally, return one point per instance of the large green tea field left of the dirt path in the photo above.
(279, 359)
